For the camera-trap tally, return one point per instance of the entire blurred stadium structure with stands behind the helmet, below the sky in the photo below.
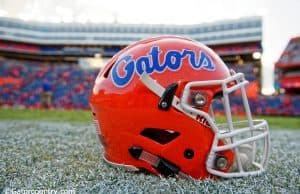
(53, 65)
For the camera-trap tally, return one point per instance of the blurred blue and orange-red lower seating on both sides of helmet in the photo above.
(71, 87)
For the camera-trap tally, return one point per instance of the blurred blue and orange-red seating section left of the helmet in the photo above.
(70, 85)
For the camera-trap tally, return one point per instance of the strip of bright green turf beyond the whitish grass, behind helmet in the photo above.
(84, 116)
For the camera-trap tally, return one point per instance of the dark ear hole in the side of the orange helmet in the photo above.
(161, 136)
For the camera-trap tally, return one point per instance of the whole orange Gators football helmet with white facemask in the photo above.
(153, 105)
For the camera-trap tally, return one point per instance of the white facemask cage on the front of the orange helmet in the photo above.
(240, 83)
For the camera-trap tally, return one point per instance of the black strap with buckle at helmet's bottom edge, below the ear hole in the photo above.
(163, 166)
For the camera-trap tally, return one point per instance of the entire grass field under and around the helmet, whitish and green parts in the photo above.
(38, 152)
